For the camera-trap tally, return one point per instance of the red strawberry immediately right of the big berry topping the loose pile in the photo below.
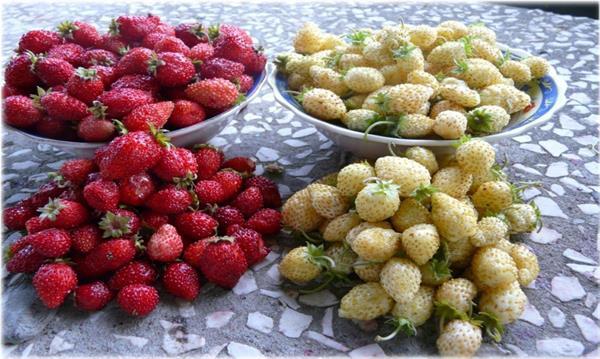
(175, 163)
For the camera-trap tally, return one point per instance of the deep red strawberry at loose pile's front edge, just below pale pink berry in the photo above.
(181, 280)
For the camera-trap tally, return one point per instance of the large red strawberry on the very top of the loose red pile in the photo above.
(130, 154)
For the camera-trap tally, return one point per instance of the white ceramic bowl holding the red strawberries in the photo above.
(198, 133)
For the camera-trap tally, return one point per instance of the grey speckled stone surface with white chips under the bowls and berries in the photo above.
(258, 318)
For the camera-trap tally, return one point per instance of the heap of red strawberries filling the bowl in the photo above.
(76, 84)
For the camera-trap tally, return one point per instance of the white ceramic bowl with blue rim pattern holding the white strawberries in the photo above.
(548, 97)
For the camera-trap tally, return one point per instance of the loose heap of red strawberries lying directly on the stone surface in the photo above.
(141, 210)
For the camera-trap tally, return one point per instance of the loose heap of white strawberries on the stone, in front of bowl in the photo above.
(426, 235)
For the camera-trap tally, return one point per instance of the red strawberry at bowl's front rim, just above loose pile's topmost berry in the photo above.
(153, 114)
